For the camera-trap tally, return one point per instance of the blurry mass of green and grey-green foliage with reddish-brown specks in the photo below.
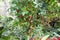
(34, 18)
